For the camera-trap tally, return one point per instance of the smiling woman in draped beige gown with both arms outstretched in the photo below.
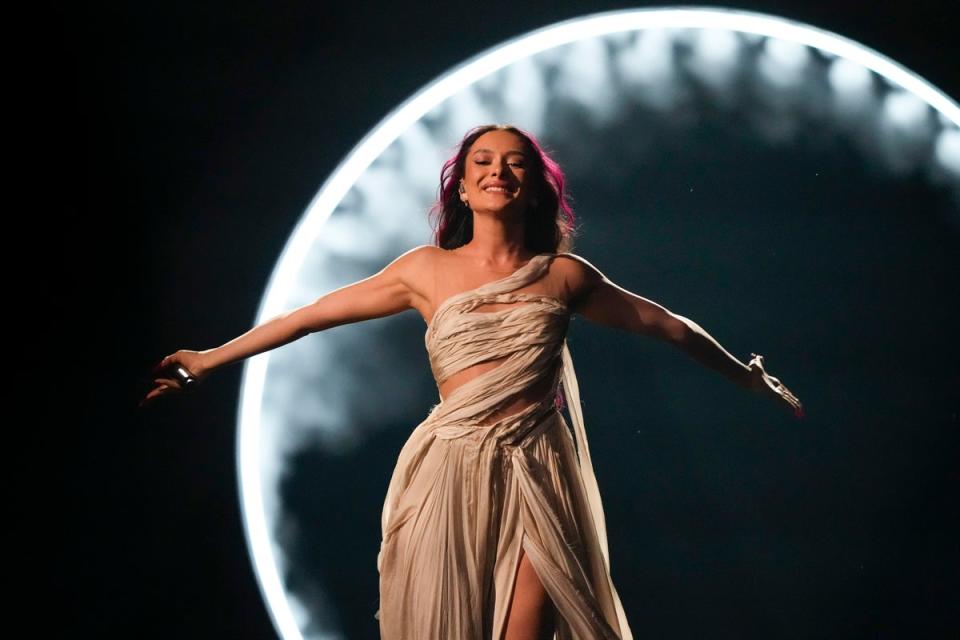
(492, 524)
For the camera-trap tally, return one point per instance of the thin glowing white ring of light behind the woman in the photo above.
(408, 113)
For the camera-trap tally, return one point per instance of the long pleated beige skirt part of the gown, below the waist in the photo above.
(459, 509)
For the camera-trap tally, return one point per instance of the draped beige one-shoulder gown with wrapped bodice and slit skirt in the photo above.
(469, 491)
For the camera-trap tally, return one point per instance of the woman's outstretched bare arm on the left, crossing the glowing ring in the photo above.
(393, 289)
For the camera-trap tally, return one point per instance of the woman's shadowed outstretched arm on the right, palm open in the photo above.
(600, 300)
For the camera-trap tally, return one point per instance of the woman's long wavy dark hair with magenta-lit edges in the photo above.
(549, 223)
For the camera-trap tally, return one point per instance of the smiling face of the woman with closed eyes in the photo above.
(495, 174)
